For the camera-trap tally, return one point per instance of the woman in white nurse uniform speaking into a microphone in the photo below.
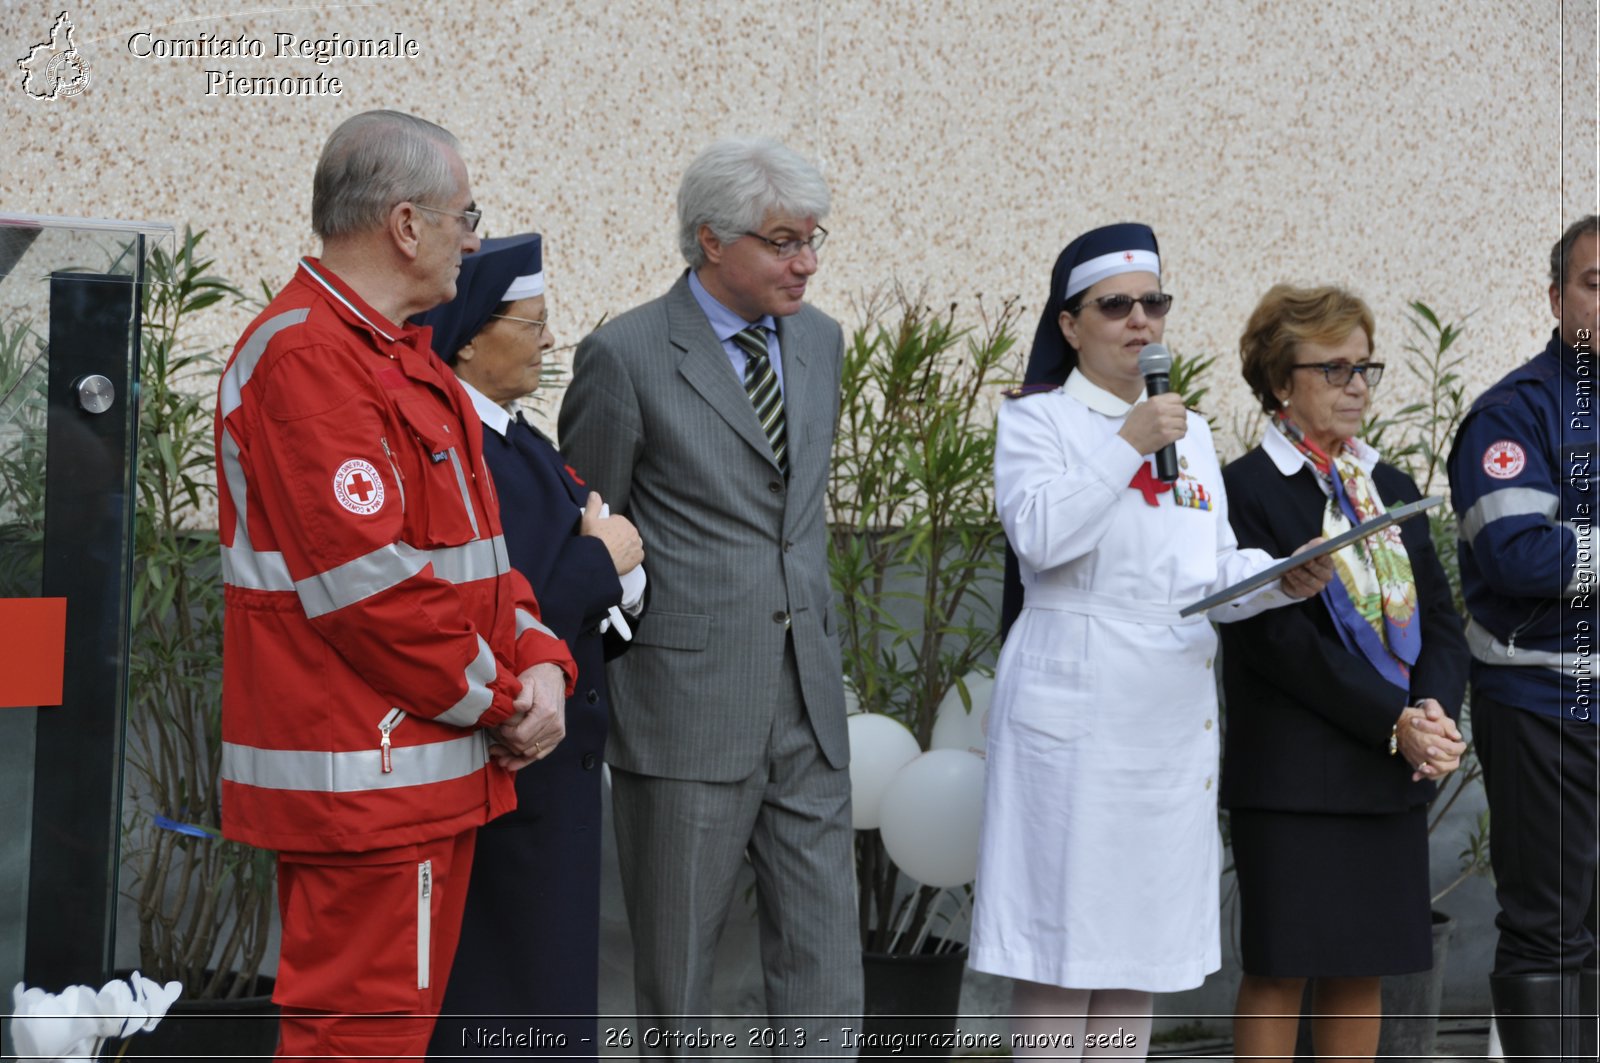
(1100, 856)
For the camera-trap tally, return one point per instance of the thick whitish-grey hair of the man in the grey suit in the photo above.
(737, 183)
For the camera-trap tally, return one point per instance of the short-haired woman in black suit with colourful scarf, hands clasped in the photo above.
(1340, 708)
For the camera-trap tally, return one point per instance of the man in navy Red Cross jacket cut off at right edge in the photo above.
(1522, 476)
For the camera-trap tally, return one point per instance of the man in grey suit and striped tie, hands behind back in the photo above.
(708, 417)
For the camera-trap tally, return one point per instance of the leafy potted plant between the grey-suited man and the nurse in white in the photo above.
(916, 560)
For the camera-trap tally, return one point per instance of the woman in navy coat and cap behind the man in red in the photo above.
(530, 941)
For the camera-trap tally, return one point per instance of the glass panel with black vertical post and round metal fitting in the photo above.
(70, 313)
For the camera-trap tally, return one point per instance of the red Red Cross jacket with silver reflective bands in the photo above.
(374, 624)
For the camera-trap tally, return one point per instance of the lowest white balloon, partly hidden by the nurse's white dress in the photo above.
(932, 814)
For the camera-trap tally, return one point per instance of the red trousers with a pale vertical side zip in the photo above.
(367, 949)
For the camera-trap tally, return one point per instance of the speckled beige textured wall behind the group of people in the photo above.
(1406, 150)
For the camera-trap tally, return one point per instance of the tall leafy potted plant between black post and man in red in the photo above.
(204, 904)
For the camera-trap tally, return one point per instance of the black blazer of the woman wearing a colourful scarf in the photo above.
(1308, 721)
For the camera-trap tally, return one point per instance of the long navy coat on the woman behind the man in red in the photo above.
(545, 857)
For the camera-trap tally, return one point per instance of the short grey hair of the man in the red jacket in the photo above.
(375, 161)
